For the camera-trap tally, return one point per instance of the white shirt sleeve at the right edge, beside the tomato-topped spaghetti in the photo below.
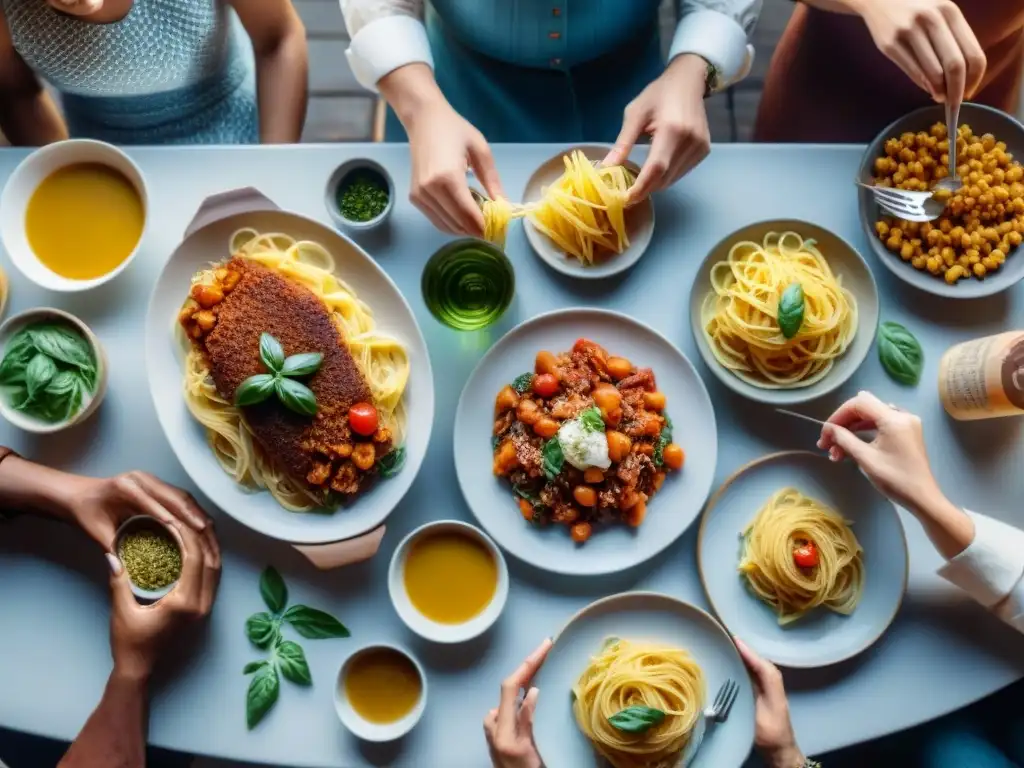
(992, 569)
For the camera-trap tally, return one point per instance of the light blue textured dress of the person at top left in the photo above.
(170, 72)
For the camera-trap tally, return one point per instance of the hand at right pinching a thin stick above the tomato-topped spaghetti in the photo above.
(897, 461)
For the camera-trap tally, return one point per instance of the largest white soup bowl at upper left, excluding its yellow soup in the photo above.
(24, 182)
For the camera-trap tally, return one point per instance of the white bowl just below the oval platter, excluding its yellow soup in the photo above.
(436, 631)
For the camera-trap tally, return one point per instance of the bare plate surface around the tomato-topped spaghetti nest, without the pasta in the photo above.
(823, 637)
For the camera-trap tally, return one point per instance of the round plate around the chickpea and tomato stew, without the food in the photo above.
(618, 547)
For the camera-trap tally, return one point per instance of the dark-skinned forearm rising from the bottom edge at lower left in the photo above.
(114, 736)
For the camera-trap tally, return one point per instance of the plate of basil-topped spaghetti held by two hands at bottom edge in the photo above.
(626, 684)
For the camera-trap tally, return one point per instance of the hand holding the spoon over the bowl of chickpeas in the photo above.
(931, 41)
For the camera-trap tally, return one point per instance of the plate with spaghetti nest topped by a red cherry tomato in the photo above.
(803, 559)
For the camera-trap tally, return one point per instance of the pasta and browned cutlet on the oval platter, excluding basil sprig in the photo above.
(274, 285)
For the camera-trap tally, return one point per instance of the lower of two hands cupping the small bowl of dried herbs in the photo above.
(139, 633)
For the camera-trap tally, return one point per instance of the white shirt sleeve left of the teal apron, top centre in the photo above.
(386, 35)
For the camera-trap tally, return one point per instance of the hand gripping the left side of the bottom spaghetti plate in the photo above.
(510, 729)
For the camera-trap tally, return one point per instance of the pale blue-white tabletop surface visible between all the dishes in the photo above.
(942, 653)
